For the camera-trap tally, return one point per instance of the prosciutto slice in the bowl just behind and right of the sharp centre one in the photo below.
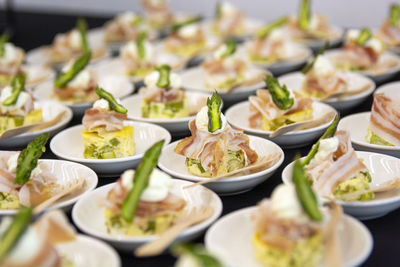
(262, 105)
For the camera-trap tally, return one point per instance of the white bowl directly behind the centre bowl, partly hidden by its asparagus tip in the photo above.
(194, 79)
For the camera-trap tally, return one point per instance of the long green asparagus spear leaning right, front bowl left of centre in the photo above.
(141, 180)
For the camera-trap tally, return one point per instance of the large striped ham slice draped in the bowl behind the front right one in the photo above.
(337, 167)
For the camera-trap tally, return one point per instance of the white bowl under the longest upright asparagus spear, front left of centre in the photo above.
(88, 215)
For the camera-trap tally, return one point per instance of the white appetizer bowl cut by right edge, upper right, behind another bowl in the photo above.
(378, 75)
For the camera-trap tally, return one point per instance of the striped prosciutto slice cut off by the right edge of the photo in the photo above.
(385, 119)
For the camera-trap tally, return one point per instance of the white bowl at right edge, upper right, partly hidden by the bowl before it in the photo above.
(377, 77)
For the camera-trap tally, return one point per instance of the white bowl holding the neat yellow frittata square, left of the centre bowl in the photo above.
(68, 145)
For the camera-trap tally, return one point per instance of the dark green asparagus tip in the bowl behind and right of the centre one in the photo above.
(280, 94)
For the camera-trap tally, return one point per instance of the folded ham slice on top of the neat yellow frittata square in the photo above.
(109, 120)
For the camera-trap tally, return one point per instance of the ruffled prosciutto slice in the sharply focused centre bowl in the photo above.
(211, 148)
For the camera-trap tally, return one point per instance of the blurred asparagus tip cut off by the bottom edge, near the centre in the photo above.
(198, 252)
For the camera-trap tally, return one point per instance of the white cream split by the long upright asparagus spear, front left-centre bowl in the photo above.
(158, 187)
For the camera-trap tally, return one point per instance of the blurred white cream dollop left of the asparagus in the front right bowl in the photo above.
(286, 205)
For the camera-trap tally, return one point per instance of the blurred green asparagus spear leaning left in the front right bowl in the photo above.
(305, 193)
